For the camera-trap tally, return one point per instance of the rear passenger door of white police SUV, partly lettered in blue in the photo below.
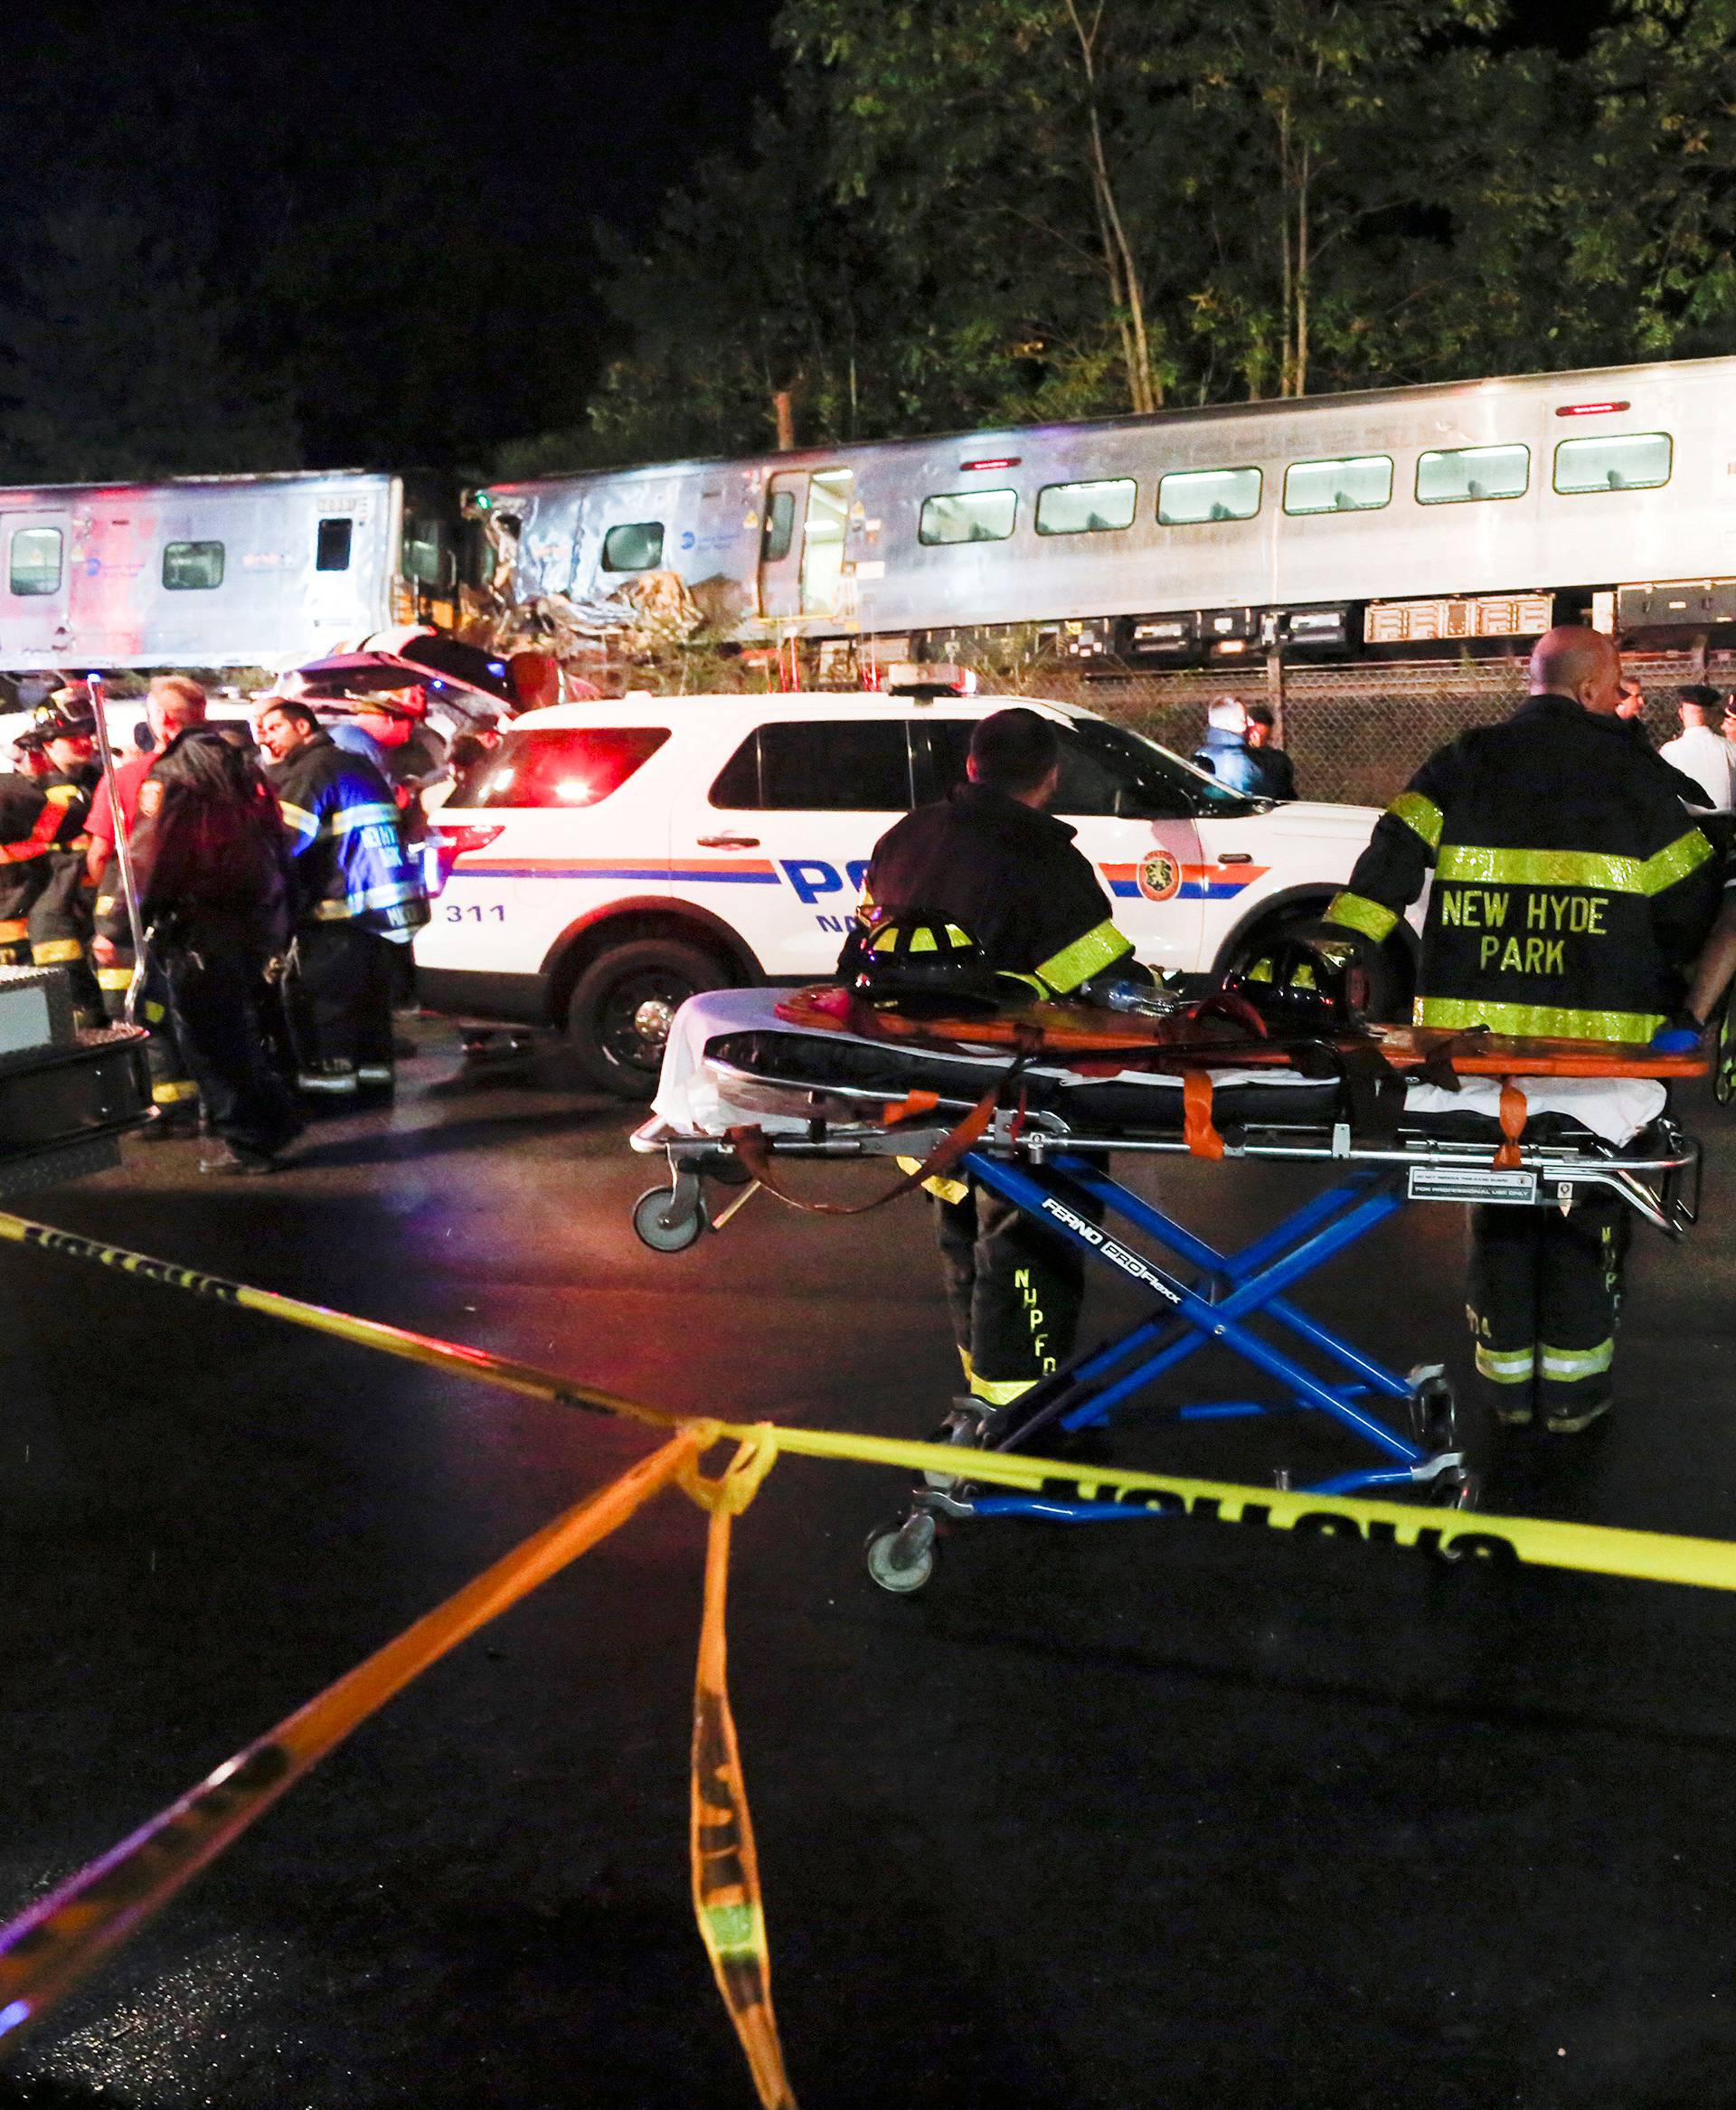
(796, 811)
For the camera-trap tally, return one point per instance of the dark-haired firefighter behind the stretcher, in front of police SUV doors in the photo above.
(992, 866)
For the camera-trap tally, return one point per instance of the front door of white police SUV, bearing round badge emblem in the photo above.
(1136, 824)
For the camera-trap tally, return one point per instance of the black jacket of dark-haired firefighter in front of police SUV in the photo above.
(1005, 875)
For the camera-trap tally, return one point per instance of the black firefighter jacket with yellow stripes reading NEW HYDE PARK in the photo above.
(1568, 881)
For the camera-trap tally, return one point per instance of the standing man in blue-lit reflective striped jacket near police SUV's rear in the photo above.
(360, 900)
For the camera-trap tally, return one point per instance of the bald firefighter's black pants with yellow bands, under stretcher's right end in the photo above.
(1545, 1290)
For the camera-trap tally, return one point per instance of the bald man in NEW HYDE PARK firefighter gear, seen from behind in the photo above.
(1570, 891)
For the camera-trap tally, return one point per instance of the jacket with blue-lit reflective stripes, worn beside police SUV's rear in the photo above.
(351, 860)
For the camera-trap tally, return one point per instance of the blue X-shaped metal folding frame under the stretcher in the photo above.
(1077, 1200)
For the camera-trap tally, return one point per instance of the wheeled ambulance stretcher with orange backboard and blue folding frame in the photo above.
(756, 1081)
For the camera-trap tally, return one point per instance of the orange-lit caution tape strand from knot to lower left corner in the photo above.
(58, 1942)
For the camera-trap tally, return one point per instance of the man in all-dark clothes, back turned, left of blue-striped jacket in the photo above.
(216, 900)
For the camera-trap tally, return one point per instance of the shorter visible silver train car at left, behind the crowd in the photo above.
(218, 571)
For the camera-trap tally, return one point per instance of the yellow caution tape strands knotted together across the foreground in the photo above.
(54, 1946)
